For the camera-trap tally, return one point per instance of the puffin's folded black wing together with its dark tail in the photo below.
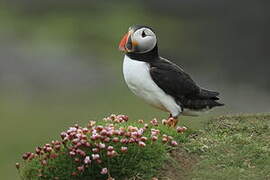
(175, 82)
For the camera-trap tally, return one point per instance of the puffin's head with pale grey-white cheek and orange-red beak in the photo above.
(138, 39)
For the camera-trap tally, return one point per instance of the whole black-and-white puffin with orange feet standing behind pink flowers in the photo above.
(160, 82)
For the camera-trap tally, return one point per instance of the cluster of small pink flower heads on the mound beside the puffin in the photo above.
(98, 141)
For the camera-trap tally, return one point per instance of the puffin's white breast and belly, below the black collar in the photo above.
(139, 81)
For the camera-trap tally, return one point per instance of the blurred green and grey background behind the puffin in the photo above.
(60, 64)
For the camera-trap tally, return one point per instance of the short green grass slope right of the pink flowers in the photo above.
(231, 147)
